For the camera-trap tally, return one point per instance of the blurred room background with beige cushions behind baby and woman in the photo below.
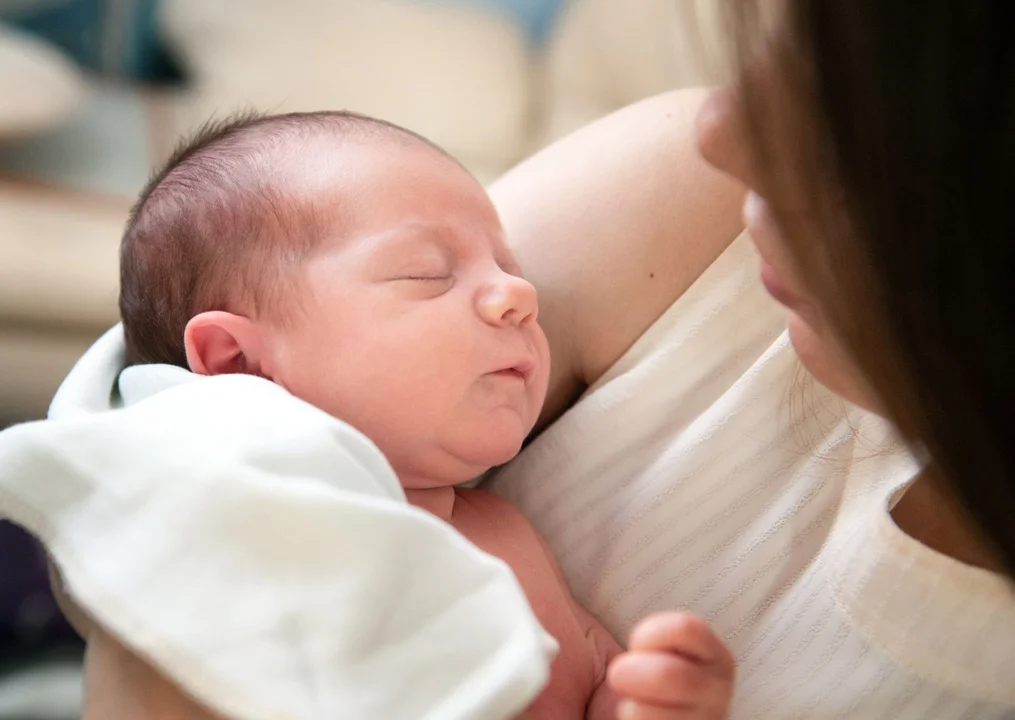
(94, 94)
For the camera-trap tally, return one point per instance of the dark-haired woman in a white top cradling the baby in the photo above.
(699, 469)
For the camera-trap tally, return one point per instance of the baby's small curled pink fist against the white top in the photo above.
(675, 668)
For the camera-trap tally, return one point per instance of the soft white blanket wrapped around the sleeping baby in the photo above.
(262, 554)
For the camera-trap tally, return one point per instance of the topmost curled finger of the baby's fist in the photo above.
(687, 635)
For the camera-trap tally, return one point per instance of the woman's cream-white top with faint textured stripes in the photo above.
(707, 471)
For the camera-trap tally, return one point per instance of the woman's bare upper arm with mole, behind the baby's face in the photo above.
(613, 225)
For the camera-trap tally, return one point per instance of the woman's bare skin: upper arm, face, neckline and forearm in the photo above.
(612, 225)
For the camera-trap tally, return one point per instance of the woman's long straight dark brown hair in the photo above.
(885, 132)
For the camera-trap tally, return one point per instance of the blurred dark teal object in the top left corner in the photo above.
(111, 38)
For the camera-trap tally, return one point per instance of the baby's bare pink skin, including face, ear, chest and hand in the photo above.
(411, 320)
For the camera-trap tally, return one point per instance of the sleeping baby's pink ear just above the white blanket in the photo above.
(223, 344)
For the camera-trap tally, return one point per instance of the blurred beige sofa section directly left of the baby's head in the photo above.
(58, 288)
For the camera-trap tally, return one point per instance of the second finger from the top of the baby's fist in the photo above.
(669, 681)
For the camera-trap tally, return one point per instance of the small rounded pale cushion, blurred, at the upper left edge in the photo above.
(39, 86)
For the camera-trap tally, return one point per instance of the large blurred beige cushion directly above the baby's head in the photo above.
(458, 76)
